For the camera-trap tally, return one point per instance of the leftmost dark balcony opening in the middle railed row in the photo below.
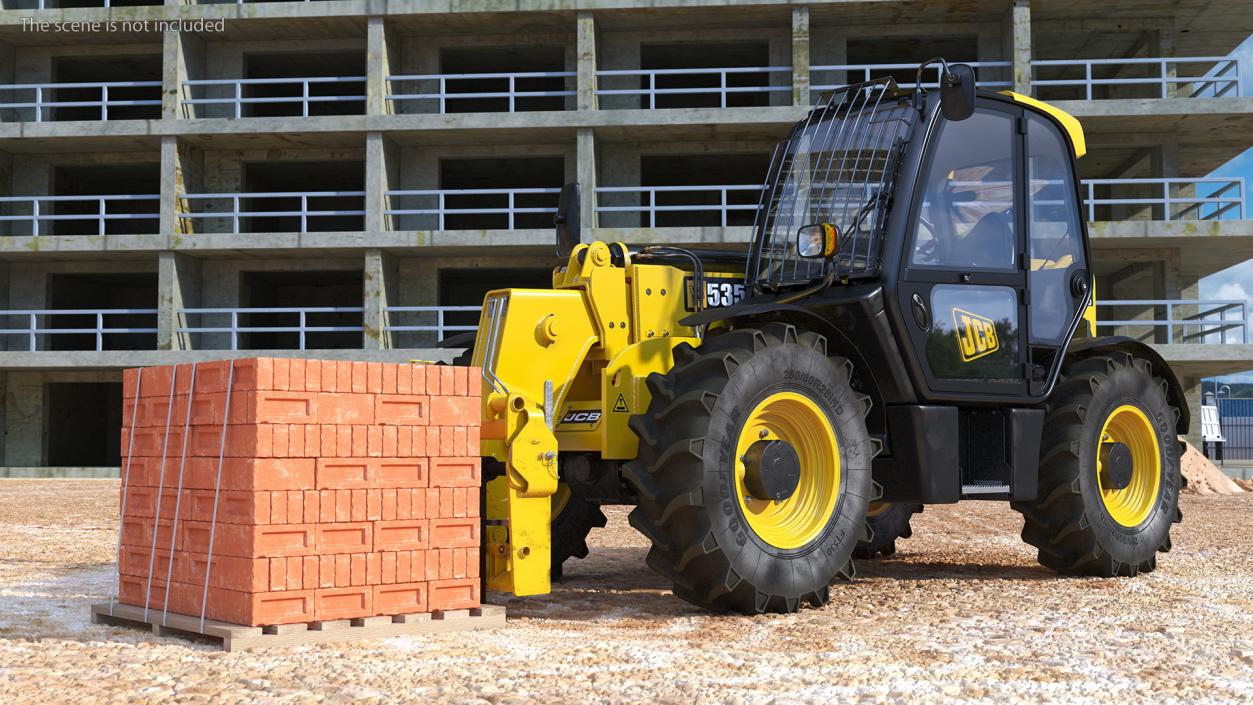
(87, 215)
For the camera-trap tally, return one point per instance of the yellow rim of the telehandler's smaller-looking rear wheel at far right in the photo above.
(1133, 504)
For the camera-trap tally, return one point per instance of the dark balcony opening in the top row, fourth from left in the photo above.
(709, 56)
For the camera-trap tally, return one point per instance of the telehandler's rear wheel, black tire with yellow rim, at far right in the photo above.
(1078, 527)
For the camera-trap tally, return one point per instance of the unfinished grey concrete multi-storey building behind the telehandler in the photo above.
(348, 178)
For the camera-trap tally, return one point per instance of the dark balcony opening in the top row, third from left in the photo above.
(499, 61)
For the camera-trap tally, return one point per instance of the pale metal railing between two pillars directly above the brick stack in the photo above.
(236, 322)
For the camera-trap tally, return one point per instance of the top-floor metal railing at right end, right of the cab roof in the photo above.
(1222, 78)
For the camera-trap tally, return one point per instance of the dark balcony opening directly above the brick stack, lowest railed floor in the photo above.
(315, 294)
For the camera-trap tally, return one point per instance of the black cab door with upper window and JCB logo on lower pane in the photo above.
(964, 284)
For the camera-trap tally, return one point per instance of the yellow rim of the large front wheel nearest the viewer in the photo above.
(798, 520)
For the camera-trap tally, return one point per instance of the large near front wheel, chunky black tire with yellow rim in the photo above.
(716, 537)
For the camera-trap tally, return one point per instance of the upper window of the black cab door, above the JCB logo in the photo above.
(968, 215)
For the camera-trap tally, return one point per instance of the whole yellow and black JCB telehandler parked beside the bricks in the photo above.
(912, 325)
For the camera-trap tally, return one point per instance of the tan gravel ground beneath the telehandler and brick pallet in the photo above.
(960, 614)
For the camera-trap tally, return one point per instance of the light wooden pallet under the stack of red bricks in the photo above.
(240, 638)
